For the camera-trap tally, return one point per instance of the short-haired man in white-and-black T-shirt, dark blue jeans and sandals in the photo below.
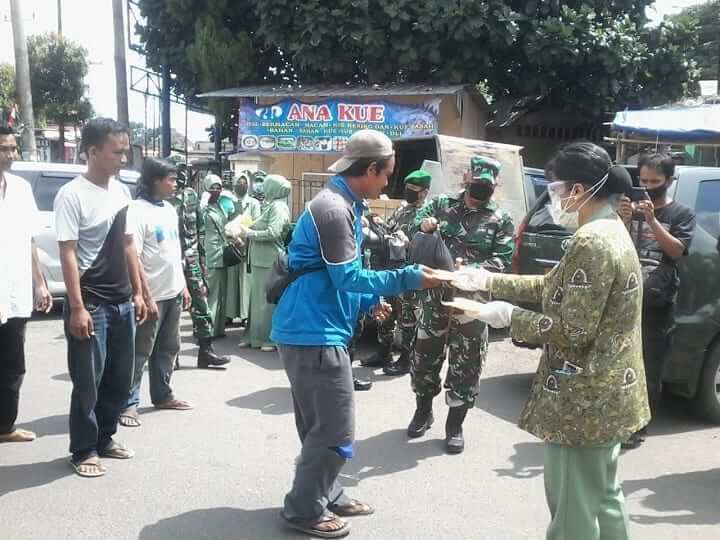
(101, 272)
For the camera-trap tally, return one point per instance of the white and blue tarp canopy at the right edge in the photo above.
(699, 123)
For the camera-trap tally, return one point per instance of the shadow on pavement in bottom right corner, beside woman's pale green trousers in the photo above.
(683, 499)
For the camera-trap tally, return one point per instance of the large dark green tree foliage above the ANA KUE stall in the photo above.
(588, 56)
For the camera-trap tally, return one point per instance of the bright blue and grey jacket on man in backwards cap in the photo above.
(321, 308)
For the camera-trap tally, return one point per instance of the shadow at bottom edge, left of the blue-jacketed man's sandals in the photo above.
(220, 523)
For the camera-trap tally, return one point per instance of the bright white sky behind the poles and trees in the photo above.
(89, 22)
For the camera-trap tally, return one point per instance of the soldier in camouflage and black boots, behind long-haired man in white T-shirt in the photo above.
(186, 203)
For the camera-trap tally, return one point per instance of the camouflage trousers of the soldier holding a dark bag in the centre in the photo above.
(465, 341)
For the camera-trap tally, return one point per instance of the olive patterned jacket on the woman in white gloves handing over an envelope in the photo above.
(590, 386)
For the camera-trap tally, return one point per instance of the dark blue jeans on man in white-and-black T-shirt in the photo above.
(101, 370)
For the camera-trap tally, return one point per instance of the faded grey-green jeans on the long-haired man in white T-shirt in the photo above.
(157, 343)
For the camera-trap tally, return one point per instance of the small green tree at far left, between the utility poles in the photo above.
(58, 68)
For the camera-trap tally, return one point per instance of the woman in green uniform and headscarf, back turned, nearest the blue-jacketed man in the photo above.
(266, 238)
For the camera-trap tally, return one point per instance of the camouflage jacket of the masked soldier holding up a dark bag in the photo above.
(480, 237)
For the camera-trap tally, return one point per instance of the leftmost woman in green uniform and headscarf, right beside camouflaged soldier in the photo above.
(214, 219)
